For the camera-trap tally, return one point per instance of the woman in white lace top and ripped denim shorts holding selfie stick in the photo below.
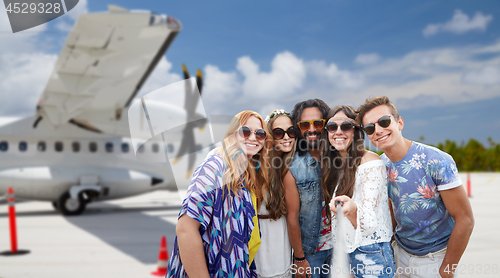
(358, 179)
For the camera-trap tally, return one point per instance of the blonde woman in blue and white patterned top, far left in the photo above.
(217, 231)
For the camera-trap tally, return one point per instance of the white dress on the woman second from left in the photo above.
(274, 257)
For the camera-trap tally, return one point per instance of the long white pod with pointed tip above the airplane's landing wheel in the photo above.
(50, 182)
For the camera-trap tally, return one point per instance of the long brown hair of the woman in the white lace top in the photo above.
(333, 165)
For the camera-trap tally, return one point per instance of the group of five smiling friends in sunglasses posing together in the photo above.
(265, 203)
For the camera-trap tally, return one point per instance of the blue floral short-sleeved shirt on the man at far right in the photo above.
(423, 223)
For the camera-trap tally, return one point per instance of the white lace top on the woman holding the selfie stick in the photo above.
(374, 223)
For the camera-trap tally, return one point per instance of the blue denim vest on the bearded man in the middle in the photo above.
(307, 173)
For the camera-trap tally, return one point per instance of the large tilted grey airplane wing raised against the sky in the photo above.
(106, 59)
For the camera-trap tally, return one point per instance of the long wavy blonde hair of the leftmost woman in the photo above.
(253, 172)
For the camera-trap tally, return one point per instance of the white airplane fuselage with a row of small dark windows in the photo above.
(41, 163)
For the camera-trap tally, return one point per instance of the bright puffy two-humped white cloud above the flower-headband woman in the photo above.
(286, 76)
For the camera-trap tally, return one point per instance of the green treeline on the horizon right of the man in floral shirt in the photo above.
(472, 156)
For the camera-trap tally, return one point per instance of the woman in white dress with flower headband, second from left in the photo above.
(274, 257)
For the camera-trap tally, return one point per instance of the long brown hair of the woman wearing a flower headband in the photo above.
(276, 206)
